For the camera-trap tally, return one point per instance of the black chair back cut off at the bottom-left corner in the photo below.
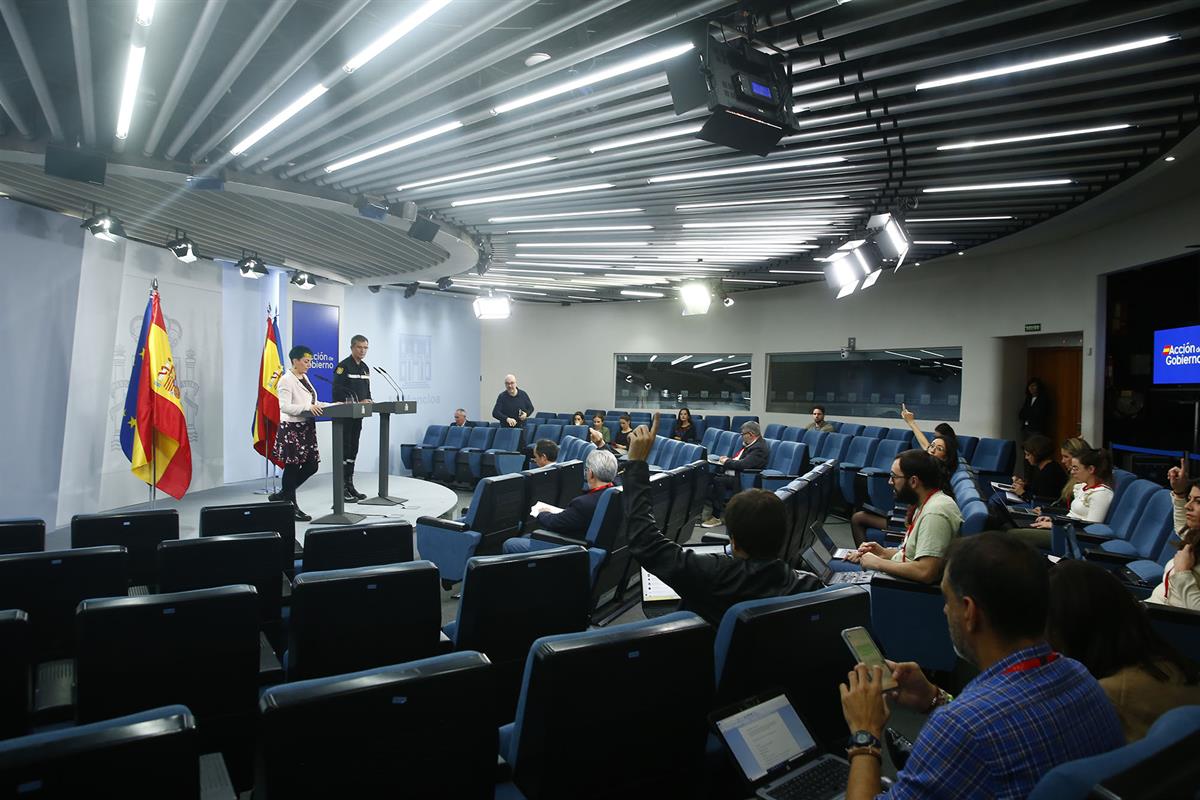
(153, 754)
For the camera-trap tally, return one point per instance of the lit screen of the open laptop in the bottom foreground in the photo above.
(766, 737)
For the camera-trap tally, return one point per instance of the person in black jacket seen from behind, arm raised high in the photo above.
(710, 584)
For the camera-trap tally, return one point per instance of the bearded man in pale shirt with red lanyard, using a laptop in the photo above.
(934, 521)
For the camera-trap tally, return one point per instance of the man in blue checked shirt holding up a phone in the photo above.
(1028, 711)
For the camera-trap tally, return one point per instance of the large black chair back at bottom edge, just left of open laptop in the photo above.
(561, 747)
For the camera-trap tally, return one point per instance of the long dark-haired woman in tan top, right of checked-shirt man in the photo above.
(1096, 621)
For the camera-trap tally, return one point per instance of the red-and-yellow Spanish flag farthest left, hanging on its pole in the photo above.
(154, 432)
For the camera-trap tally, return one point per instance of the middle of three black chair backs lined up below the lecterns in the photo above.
(344, 621)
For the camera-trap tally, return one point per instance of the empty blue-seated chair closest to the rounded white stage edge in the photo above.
(496, 513)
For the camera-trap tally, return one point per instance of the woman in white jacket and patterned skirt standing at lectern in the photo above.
(296, 444)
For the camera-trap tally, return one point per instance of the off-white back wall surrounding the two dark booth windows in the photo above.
(563, 357)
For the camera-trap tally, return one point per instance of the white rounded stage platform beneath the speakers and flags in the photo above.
(422, 500)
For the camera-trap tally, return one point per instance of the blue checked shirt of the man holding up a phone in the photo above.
(1009, 729)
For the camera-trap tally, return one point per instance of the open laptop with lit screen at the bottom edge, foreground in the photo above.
(777, 755)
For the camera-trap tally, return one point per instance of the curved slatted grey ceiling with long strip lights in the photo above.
(573, 173)
